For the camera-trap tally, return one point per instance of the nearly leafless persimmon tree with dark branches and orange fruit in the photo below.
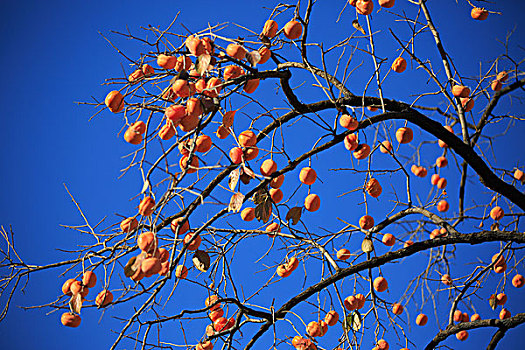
(299, 192)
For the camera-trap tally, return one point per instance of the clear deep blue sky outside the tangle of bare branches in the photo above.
(52, 56)
